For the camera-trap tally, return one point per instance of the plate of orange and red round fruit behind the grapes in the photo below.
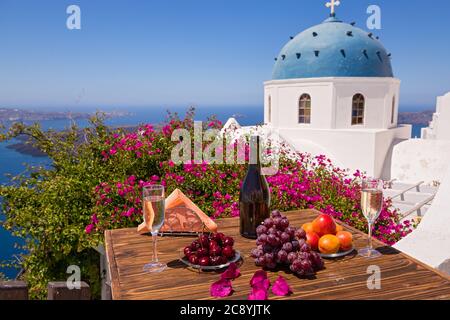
(327, 238)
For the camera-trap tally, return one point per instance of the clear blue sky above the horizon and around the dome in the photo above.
(181, 52)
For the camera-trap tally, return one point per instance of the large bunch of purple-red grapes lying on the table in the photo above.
(280, 244)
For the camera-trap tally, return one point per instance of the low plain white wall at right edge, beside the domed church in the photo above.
(421, 160)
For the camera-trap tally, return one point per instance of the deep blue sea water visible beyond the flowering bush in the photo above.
(13, 163)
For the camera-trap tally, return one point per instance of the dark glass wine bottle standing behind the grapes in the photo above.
(254, 199)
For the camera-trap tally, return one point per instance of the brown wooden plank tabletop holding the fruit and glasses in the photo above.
(345, 279)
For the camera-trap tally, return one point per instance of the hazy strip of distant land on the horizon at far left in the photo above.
(20, 115)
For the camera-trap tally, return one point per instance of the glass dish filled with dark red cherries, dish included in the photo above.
(210, 252)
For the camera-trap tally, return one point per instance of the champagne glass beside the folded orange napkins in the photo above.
(154, 209)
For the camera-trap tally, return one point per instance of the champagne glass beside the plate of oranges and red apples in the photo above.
(371, 205)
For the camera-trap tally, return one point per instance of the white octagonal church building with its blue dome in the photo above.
(333, 92)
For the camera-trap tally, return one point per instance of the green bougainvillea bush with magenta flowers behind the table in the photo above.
(96, 179)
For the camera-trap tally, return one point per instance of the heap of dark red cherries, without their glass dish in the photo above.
(210, 250)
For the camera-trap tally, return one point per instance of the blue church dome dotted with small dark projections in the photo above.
(333, 49)
